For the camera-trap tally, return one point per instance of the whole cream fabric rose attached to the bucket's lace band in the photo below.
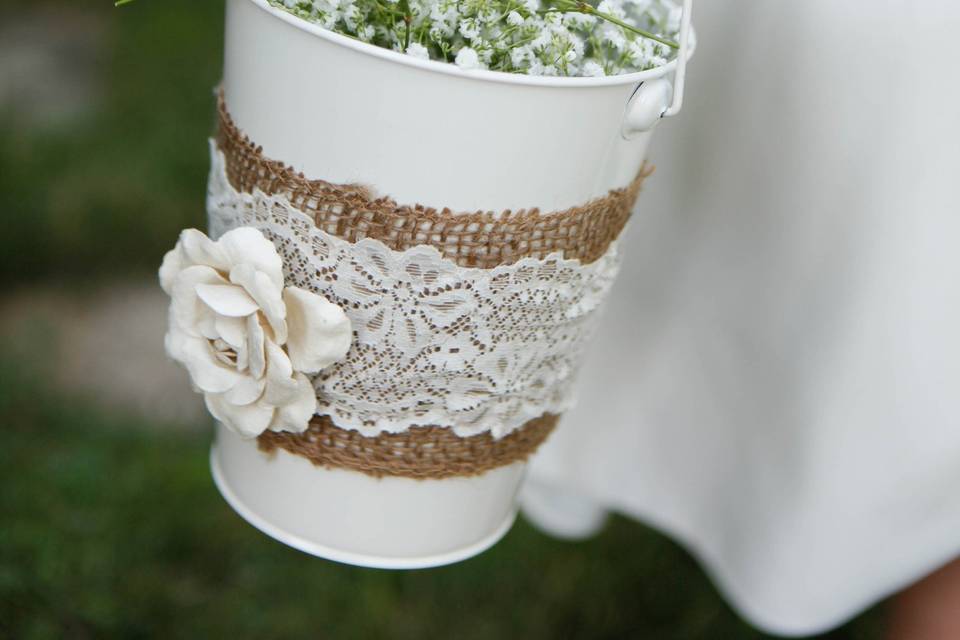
(246, 340)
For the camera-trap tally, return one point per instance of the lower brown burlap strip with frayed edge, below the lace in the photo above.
(421, 452)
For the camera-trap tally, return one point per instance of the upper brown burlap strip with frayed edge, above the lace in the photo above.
(481, 240)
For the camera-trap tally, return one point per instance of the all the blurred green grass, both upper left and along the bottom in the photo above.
(110, 526)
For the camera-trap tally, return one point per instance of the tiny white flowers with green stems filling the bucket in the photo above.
(536, 37)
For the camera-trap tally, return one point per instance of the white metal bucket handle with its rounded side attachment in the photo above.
(658, 98)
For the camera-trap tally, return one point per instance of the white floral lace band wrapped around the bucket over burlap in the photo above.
(435, 343)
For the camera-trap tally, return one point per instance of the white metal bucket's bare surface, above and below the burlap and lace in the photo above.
(421, 132)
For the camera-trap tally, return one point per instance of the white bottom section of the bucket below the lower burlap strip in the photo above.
(416, 524)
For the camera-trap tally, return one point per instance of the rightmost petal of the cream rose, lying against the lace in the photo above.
(319, 331)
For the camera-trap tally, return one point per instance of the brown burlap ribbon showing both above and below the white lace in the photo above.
(479, 240)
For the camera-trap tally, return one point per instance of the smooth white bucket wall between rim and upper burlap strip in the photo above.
(420, 136)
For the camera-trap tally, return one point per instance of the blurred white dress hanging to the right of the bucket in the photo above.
(777, 382)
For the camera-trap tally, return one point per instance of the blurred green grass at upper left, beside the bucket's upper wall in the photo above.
(109, 190)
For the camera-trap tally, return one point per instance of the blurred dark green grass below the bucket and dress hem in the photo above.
(112, 529)
